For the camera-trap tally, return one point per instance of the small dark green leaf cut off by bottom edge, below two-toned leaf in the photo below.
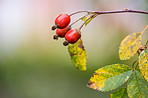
(119, 93)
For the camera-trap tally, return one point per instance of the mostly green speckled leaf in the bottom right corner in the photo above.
(137, 86)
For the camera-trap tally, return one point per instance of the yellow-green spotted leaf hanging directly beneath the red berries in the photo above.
(78, 55)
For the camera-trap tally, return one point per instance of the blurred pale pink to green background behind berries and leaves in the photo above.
(33, 65)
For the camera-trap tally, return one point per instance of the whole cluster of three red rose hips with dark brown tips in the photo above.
(63, 29)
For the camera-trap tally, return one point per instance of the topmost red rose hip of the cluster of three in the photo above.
(62, 21)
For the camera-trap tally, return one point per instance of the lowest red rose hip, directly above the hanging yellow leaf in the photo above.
(73, 35)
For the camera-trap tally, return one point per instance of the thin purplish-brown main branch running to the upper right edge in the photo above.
(121, 11)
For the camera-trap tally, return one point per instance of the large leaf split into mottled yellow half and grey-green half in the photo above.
(110, 77)
